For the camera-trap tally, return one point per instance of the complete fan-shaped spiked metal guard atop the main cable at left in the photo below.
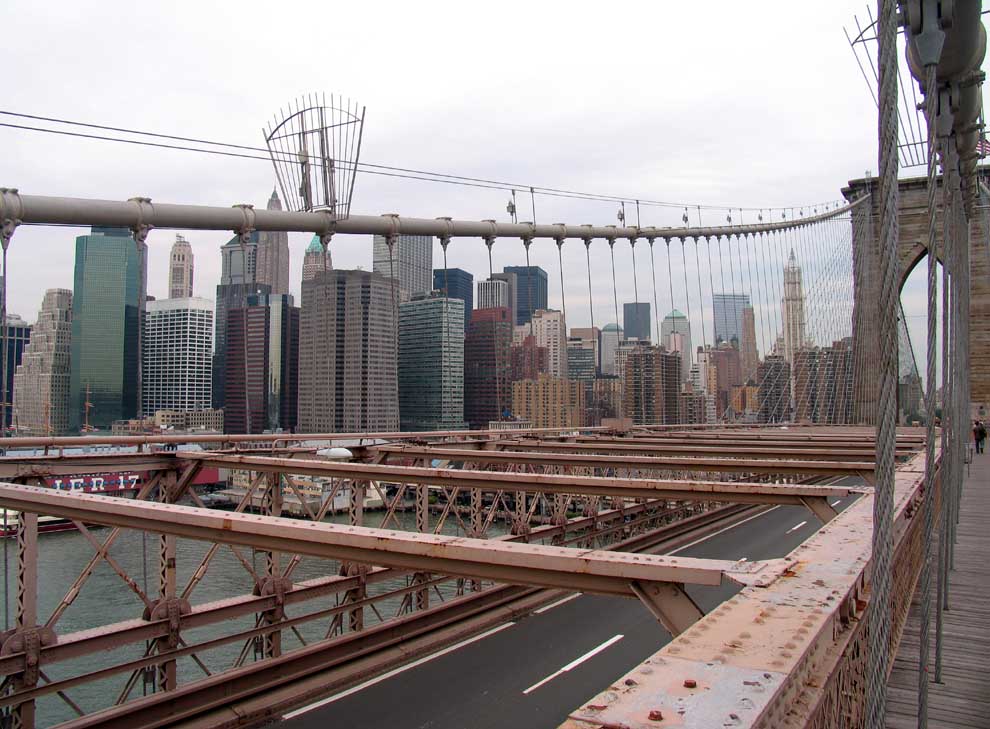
(315, 148)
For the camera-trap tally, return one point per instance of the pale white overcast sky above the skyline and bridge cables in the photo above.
(723, 103)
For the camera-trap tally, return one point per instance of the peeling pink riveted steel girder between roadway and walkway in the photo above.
(788, 654)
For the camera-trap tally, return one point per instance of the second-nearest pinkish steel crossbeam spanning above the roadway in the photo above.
(731, 491)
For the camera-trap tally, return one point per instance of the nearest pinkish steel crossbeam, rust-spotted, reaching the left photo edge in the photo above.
(594, 571)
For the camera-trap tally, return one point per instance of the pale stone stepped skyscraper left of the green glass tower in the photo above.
(41, 382)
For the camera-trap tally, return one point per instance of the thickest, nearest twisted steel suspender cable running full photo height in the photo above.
(883, 505)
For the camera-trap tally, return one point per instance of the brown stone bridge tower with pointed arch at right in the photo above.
(912, 234)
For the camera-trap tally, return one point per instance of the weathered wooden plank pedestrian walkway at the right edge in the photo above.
(962, 700)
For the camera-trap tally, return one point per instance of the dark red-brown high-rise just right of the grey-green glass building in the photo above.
(487, 392)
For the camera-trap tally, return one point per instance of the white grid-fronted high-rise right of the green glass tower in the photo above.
(177, 355)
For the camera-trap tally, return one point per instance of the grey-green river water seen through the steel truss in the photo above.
(105, 599)
